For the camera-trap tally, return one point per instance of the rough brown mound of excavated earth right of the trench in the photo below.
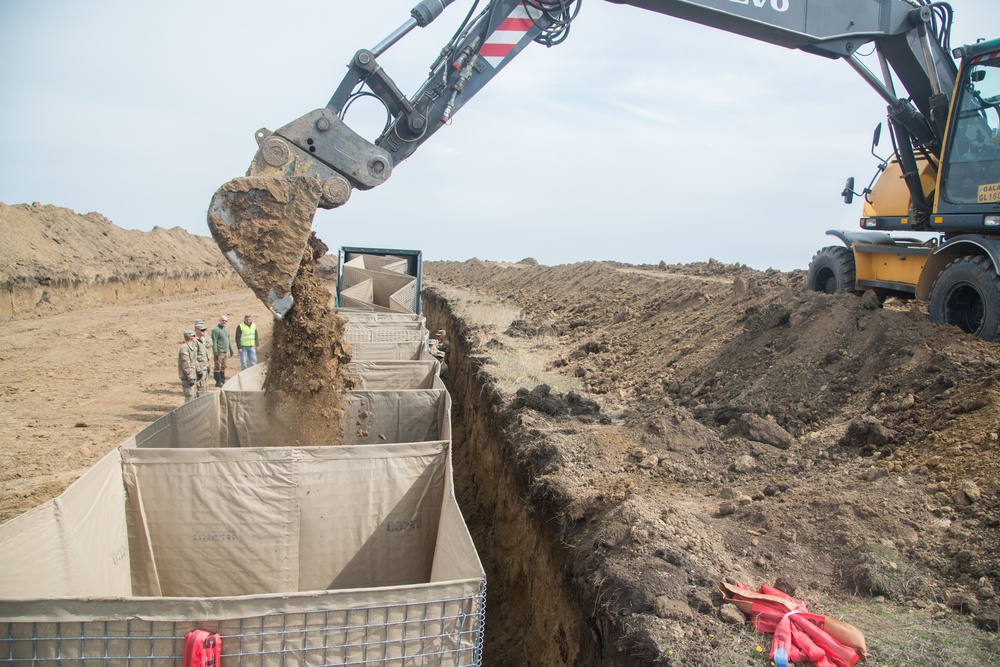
(749, 430)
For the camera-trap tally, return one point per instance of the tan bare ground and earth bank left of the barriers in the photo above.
(89, 354)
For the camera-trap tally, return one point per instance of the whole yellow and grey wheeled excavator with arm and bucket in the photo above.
(941, 179)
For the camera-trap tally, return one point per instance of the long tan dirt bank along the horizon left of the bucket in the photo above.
(53, 258)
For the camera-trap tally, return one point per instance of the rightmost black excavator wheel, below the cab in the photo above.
(967, 295)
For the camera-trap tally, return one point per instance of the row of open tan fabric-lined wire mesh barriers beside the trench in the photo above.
(296, 555)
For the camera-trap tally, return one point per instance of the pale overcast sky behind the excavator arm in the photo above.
(641, 138)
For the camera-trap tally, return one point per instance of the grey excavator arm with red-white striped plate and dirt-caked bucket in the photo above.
(262, 222)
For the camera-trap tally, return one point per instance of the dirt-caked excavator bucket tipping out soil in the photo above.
(262, 225)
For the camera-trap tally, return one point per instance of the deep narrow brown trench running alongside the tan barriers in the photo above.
(536, 609)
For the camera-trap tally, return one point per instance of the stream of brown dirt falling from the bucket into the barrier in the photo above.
(307, 374)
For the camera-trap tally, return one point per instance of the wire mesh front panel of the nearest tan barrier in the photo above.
(445, 633)
